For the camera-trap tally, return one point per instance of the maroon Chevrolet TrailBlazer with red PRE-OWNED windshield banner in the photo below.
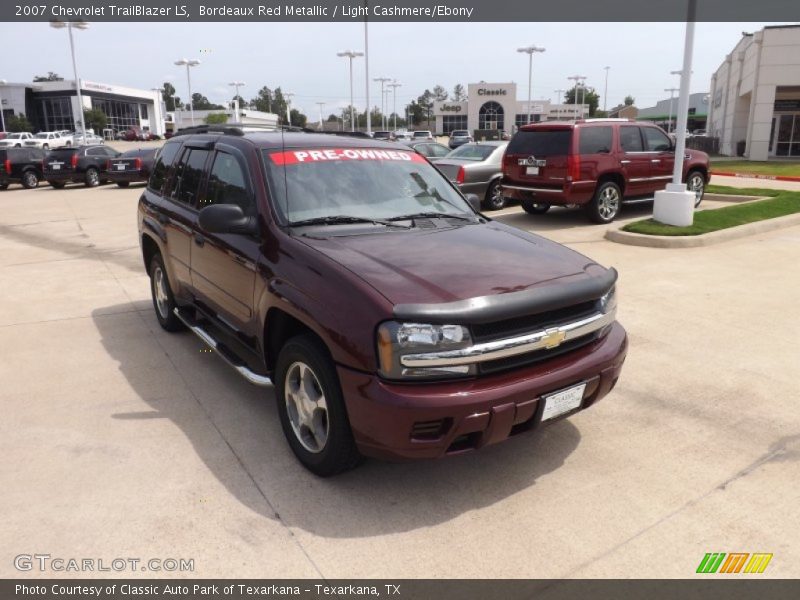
(394, 320)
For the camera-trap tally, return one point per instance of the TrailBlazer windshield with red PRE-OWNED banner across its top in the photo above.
(366, 183)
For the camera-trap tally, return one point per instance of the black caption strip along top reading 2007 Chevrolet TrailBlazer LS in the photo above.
(401, 10)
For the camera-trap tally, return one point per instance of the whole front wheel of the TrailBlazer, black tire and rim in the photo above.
(311, 408)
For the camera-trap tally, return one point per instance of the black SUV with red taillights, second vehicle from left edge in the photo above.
(80, 164)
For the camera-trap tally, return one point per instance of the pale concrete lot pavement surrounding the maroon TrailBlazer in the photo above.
(120, 440)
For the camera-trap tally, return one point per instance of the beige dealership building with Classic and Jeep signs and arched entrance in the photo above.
(495, 106)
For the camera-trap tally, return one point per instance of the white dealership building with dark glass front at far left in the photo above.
(52, 105)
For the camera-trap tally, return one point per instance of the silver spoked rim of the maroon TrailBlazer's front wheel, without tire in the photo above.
(306, 407)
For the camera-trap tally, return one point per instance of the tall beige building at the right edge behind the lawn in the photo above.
(755, 96)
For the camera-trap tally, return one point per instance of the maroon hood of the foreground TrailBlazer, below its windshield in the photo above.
(446, 265)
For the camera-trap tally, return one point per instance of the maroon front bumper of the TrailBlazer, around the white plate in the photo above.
(386, 417)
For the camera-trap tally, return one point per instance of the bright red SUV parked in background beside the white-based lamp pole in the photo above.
(595, 163)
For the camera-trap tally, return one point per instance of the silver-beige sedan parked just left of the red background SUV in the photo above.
(477, 168)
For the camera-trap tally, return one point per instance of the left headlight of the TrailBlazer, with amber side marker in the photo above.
(395, 340)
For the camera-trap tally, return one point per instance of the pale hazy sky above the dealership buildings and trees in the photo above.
(301, 58)
